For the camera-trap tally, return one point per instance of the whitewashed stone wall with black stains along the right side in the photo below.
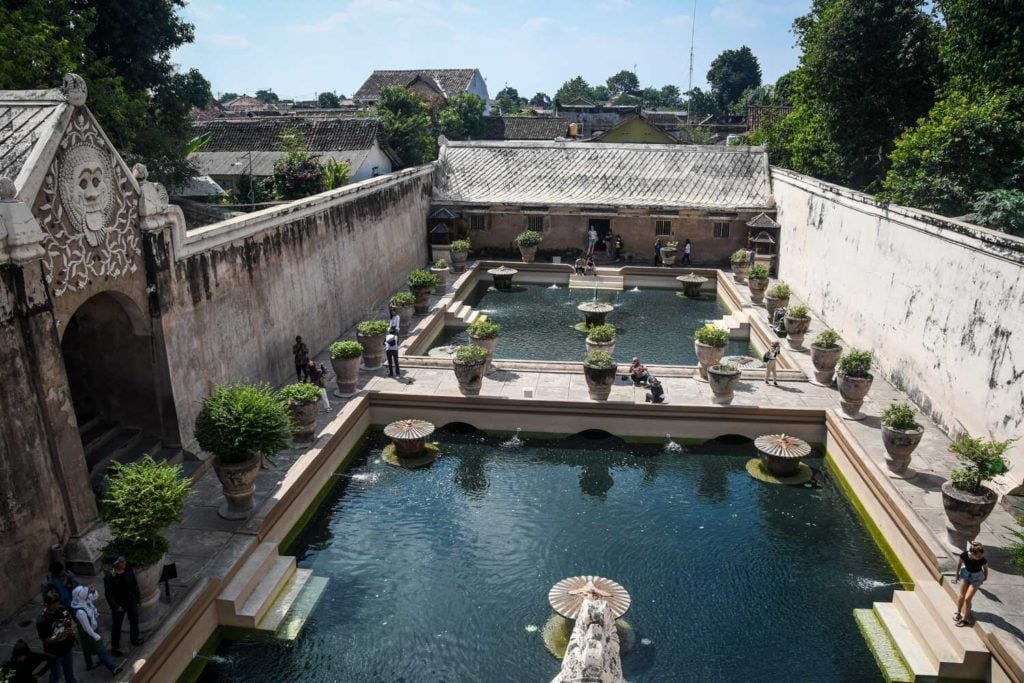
(941, 303)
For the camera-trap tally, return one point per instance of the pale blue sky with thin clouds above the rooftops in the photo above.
(302, 48)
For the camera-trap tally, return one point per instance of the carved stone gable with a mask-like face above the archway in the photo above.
(89, 209)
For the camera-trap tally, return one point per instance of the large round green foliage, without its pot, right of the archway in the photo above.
(238, 421)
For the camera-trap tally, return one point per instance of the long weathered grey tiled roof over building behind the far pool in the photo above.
(601, 174)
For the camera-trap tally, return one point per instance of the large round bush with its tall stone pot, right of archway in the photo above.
(237, 423)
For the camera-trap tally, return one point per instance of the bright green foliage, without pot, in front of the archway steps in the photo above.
(144, 498)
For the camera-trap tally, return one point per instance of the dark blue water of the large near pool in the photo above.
(443, 574)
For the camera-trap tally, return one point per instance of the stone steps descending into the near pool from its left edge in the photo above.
(270, 594)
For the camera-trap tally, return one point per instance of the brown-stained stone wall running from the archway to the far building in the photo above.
(239, 292)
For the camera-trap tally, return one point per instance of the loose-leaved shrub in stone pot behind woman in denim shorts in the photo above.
(967, 501)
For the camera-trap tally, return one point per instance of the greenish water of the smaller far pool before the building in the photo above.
(538, 323)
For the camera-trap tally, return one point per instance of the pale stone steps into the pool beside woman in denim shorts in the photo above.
(919, 627)
